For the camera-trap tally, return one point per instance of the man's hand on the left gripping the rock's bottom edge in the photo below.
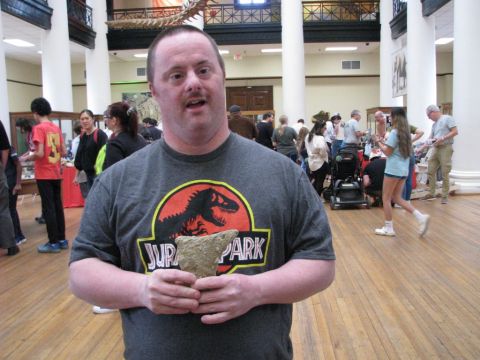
(170, 292)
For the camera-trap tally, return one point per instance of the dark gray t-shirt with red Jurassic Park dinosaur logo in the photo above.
(138, 206)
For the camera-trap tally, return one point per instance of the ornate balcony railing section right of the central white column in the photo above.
(366, 10)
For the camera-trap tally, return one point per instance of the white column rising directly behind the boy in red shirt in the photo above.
(56, 68)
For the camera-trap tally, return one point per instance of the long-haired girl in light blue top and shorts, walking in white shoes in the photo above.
(398, 148)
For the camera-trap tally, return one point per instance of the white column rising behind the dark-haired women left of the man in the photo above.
(97, 63)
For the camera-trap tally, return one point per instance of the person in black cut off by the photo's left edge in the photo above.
(7, 235)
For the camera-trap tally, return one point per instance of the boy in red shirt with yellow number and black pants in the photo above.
(49, 148)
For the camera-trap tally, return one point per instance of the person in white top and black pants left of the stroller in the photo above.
(317, 150)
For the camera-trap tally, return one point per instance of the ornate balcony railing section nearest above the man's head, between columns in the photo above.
(227, 14)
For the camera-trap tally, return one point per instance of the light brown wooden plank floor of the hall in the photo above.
(393, 298)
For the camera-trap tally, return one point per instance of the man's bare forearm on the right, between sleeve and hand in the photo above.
(294, 281)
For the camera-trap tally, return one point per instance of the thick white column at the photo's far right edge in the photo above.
(466, 97)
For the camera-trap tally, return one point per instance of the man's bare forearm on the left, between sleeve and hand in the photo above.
(104, 284)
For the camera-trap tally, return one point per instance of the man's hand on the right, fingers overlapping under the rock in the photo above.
(226, 297)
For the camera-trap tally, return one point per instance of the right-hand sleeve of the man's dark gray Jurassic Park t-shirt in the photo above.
(310, 236)
